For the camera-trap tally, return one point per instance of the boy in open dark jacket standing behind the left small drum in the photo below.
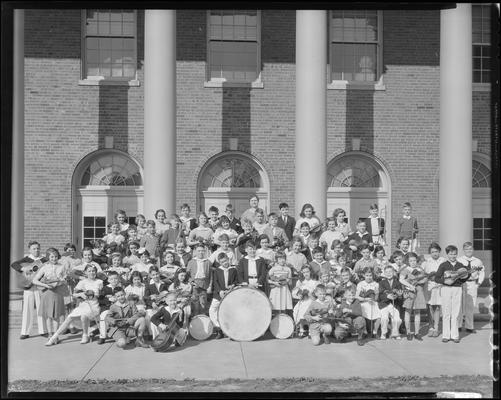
(199, 271)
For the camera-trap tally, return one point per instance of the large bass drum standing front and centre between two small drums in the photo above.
(244, 314)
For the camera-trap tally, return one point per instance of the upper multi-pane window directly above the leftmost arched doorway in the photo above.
(110, 44)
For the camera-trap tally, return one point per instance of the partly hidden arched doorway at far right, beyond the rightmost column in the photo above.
(482, 211)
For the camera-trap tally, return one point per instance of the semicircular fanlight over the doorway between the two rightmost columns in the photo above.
(353, 172)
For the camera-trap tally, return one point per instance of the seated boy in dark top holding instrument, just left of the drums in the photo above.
(169, 315)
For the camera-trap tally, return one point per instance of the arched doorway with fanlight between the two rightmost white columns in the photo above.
(355, 180)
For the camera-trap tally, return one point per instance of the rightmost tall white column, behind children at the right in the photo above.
(455, 189)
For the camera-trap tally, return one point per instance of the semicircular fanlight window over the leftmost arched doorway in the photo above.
(112, 170)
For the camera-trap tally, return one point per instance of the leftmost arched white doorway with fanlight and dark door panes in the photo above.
(103, 182)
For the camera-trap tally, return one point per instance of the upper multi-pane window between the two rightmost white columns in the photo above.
(355, 45)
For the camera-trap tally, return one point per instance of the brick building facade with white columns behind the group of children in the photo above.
(241, 87)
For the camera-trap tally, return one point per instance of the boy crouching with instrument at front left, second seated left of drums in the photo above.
(126, 321)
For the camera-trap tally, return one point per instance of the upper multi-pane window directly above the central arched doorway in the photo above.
(233, 45)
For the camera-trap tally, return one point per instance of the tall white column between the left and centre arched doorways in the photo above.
(159, 111)
